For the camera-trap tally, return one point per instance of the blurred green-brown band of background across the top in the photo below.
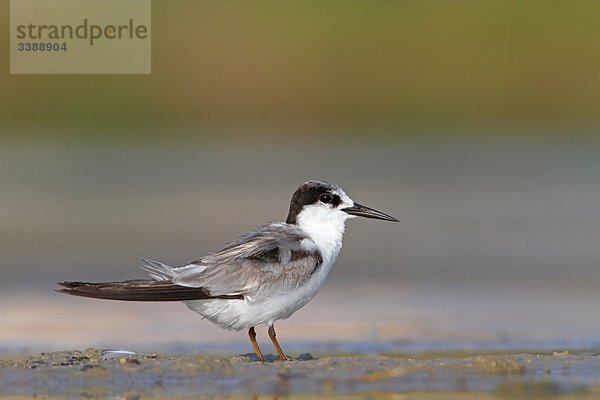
(270, 67)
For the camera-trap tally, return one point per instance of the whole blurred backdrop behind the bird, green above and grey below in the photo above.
(474, 123)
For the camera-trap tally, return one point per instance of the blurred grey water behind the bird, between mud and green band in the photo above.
(498, 239)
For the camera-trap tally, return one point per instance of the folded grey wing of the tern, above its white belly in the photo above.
(273, 259)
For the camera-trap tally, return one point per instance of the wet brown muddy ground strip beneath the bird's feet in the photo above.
(93, 373)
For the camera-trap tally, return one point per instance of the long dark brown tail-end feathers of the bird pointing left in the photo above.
(139, 290)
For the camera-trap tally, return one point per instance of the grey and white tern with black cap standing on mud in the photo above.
(262, 277)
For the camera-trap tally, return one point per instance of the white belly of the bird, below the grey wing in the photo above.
(253, 311)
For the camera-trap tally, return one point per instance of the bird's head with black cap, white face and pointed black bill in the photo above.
(317, 202)
